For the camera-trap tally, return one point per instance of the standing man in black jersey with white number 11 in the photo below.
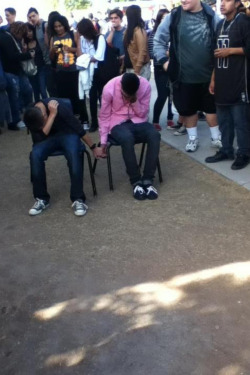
(230, 84)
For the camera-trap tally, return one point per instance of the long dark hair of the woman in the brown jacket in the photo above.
(134, 20)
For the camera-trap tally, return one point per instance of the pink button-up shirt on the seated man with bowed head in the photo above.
(115, 109)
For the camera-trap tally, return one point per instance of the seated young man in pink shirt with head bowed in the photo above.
(124, 115)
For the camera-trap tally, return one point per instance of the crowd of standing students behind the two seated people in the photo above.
(199, 59)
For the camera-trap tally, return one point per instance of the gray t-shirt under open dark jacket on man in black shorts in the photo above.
(195, 47)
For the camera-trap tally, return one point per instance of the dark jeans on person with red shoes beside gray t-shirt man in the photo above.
(163, 91)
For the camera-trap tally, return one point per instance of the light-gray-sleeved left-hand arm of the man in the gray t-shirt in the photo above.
(161, 41)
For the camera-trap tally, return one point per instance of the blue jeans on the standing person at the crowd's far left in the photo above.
(20, 93)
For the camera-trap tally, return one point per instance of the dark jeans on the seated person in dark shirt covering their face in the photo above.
(71, 146)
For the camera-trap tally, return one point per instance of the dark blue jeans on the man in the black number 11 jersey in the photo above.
(234, 119)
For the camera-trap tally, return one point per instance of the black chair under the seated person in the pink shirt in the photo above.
(111, 142)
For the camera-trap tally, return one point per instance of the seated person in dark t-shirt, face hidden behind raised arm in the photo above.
(54, 127)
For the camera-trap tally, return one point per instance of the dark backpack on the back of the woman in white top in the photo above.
(110, 67)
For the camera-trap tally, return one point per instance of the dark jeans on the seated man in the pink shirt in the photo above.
(127, 134)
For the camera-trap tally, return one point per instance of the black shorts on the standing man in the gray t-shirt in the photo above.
(189, 98)
